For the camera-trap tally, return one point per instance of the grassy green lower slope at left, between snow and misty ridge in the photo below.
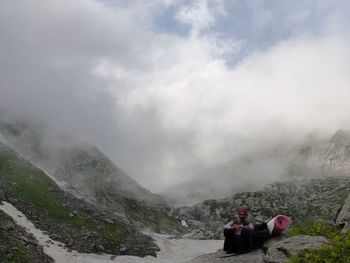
(79, 225)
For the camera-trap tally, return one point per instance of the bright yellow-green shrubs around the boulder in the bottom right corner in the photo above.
(337, 251)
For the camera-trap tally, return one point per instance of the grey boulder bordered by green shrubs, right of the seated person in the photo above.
(278, 252)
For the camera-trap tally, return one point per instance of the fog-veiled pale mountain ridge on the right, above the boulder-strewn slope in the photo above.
(310, 159)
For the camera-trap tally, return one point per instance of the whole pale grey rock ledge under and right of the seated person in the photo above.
(277, 251)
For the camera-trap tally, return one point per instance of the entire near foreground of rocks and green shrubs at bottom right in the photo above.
(315, 241)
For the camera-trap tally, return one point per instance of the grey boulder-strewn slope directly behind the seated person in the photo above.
(303, 200)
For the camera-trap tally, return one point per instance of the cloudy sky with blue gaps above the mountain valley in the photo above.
(167, 88)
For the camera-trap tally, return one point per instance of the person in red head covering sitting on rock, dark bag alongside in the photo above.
(242, 236)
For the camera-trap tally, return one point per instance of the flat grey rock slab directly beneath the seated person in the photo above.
(220, 256)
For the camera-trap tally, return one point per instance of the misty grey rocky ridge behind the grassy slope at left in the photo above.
(83, 171)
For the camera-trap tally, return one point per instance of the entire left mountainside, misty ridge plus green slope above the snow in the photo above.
(74, 192)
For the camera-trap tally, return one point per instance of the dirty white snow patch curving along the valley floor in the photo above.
(171, 250)
